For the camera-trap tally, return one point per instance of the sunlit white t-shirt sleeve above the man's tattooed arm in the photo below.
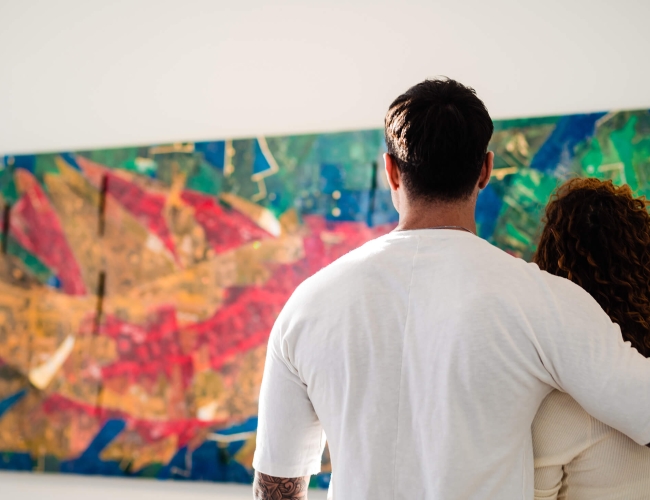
(290, 438)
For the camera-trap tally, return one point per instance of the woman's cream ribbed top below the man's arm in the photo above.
(579, 458)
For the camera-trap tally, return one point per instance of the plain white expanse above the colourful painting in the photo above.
(89, 73)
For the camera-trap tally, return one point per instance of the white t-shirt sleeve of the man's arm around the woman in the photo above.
(586, 356)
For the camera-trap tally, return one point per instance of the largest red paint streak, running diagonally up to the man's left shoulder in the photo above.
(243, 323)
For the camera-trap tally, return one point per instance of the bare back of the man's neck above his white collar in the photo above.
(430, 215)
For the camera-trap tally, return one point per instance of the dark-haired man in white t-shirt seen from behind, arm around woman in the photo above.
(425, 354)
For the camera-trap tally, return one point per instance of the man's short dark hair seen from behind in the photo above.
(438, 133)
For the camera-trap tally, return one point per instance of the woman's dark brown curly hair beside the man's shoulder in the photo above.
(597, 235)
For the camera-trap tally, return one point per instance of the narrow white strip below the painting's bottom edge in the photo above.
(28, 486)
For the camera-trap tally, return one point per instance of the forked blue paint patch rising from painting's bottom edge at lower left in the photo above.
(89, 461)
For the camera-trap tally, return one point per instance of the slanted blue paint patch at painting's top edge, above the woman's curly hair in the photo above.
(560, 145)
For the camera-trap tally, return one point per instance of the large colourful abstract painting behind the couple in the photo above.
(138, 286)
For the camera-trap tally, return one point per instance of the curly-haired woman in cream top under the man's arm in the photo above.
(598, 236)
